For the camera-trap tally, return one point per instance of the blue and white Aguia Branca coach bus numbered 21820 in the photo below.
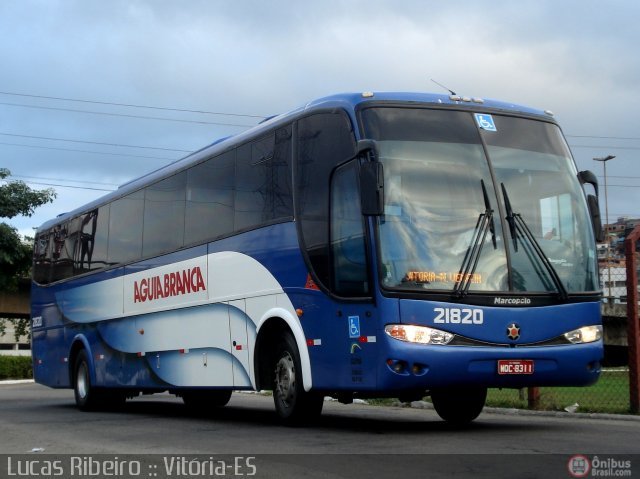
(364, 245)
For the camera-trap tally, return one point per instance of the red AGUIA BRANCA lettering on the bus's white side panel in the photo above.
(171, 284)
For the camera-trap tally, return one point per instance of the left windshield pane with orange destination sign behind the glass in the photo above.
(434, 169)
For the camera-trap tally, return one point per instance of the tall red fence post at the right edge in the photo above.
(633, 331)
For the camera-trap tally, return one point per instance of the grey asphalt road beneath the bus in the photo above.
(349, 441)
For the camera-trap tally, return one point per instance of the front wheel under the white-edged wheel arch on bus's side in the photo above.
(294, 405)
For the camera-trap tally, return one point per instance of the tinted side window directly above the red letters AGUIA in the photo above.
(164, 207)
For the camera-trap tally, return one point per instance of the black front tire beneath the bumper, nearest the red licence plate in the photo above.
(459, 406)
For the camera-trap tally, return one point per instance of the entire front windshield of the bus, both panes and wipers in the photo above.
(479, 203)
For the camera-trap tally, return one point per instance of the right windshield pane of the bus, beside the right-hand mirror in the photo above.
(532, 161)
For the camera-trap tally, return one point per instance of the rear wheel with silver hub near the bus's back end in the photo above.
(87, 396)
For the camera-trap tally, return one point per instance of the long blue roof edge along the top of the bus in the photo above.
(347, 101)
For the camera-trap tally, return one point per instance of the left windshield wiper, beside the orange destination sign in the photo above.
(484, 224)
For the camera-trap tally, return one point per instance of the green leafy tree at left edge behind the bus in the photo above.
(16, 198)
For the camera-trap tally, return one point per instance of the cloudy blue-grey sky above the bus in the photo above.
(95, 93)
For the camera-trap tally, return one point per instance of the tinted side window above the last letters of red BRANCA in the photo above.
(210, 196)
